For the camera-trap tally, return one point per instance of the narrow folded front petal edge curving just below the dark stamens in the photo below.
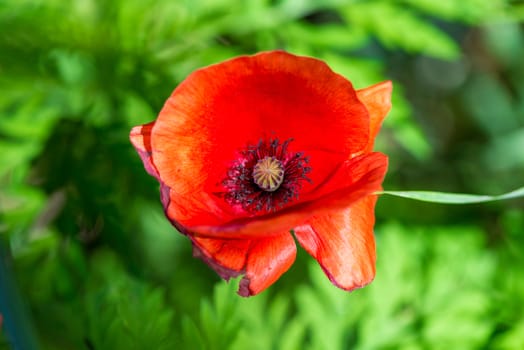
(354, 180)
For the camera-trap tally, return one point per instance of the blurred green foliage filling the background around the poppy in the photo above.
(100, 268)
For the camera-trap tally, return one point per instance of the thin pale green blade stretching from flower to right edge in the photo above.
(453, 198)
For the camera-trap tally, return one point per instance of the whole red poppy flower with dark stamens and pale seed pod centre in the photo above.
(255, 148)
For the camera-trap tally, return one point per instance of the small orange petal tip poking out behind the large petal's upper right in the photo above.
(377, 99)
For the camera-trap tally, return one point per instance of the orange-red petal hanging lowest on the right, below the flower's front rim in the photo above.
(343, 243)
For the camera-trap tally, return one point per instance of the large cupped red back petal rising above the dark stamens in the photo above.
(219, 110)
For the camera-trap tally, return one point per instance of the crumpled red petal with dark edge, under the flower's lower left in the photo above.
(262, 261)
